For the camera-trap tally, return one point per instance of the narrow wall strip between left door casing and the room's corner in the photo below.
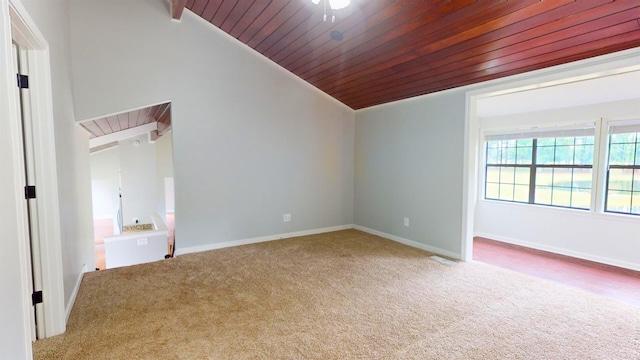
(72, 155)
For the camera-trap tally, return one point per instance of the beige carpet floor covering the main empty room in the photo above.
(341, 295)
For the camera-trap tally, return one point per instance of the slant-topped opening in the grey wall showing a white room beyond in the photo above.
(131, 158)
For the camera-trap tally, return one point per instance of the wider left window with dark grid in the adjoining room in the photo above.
(548, 168)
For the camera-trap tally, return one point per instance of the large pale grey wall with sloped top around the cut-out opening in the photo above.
(251, 141)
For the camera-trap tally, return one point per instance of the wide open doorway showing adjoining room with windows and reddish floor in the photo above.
(540, 154)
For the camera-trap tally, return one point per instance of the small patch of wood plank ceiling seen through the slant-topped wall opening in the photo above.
(108, 125)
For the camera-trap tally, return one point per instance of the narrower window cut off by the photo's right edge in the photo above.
(623, 175)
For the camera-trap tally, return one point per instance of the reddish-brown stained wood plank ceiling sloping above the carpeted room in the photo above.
(394, 50)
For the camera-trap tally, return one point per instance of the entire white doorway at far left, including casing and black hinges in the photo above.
(20, 37)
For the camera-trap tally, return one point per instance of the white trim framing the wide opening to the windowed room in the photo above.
(600, 66)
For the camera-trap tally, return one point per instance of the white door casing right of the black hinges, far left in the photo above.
(32, 40)
